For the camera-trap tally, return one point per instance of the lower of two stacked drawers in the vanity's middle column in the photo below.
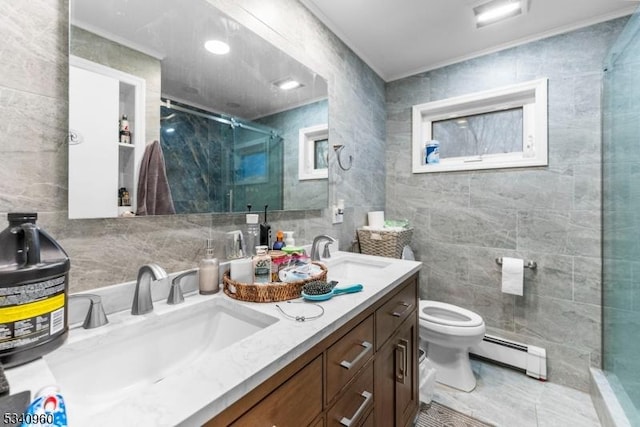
(354, 405)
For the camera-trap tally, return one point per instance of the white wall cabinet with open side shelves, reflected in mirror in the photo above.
(102, 164)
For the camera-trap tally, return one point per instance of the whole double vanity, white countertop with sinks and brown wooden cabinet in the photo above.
(217, 361)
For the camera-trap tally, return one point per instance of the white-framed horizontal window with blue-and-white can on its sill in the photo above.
(498, 128)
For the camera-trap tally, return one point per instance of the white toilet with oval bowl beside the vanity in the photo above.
(448, 332)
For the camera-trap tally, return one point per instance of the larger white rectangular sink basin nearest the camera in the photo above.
(121, 359)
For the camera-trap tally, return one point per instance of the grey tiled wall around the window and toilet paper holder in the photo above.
(465, 220)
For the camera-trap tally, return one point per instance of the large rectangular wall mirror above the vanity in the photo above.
(226, 122)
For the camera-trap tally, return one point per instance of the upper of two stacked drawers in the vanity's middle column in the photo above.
(348, 355)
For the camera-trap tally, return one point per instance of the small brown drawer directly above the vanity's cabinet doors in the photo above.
(395, 311)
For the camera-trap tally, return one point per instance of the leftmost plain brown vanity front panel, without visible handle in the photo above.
(299, 398)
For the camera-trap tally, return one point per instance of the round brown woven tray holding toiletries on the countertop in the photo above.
(268, 292)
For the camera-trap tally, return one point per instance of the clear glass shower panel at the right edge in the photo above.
(621, 223)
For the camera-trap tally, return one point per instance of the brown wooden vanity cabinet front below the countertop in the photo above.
(363, 374)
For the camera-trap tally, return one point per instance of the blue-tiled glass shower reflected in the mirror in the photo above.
(220, 163)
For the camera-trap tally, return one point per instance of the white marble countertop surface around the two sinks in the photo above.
(205, 387)
